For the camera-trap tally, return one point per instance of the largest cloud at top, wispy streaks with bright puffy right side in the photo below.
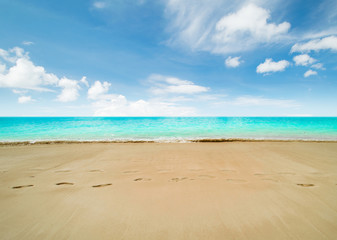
(221, 26)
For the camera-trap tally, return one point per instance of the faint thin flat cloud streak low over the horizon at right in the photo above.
(261, 101)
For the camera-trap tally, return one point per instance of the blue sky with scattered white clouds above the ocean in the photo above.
(168, 58)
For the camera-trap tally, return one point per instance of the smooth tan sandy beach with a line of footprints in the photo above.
(232, 190)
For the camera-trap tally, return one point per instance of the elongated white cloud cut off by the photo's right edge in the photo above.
(327, 43)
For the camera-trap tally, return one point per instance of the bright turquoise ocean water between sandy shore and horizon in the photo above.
(171, 129)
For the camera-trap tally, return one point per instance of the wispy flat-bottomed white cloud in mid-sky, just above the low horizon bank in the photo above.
(166, 84)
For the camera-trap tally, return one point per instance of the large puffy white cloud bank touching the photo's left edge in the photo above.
(24, 74)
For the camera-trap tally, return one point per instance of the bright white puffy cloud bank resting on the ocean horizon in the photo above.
(107, 104)
